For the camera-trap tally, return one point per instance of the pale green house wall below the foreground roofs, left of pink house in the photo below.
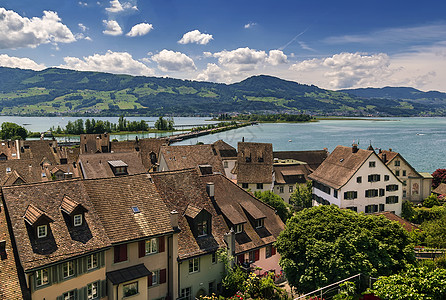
(208, 272)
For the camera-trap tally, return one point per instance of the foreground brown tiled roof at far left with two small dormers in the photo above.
(63, 241)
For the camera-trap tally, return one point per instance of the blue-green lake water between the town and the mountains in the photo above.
(421, 141)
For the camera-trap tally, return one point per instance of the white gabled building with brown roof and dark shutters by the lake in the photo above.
(357, 179)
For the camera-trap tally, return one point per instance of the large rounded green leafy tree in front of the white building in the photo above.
(324, 244)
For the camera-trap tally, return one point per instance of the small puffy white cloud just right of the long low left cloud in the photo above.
(168, 60)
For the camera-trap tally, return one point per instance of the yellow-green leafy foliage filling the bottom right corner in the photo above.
(415, 284)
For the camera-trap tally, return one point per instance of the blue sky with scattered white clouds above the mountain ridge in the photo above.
(331, 44)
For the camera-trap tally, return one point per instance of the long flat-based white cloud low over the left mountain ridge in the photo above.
(112, 62)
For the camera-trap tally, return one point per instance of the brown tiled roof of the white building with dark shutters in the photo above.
(340, 166)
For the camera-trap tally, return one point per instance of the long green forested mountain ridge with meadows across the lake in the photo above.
(56, 91)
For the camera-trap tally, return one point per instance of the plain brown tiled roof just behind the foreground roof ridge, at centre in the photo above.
(191, 156)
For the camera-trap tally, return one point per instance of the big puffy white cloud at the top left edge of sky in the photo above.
(17, 31)
